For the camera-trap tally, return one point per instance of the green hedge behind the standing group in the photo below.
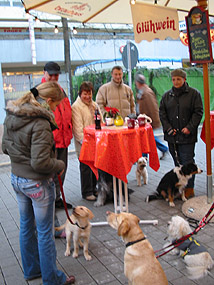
(158, 79)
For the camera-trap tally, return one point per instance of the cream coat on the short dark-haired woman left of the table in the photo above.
(81, 118)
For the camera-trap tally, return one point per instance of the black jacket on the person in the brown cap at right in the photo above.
(179, 111)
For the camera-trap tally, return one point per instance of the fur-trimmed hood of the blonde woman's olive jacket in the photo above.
(19, 116)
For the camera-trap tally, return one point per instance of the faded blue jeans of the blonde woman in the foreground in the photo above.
(36, 200)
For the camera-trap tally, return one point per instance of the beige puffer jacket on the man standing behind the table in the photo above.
(118, 96)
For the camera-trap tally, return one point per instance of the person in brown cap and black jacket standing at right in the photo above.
(181, 110)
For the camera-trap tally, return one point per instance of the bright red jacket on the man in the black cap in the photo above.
(63, 118)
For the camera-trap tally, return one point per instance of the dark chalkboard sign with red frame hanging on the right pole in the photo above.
(198, 31)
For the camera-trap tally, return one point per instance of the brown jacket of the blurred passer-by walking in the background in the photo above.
(148, 105)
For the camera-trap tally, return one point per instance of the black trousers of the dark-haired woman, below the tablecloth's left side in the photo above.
(88, 180)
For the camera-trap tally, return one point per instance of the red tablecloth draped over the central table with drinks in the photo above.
(115, 149)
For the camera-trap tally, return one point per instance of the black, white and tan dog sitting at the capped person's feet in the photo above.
(173, 183)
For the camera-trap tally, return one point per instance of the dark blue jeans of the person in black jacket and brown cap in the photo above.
(186, 154)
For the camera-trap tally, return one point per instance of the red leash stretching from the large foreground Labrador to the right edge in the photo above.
(176, 243)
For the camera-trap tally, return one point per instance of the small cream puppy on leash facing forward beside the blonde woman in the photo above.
(81, 229)
